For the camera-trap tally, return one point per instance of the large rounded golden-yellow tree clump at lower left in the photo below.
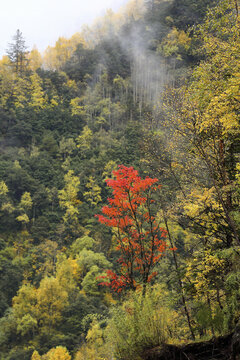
(39, 310)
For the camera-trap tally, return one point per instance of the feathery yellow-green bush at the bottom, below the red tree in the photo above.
(141, 323)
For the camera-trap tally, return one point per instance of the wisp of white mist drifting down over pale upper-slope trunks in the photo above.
(148, 69)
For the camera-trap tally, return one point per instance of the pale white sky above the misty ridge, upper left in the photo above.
(42, 22)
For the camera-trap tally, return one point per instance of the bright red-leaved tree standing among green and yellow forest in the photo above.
(139, 238)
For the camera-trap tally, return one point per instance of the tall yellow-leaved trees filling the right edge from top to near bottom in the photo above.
(203, 139)
